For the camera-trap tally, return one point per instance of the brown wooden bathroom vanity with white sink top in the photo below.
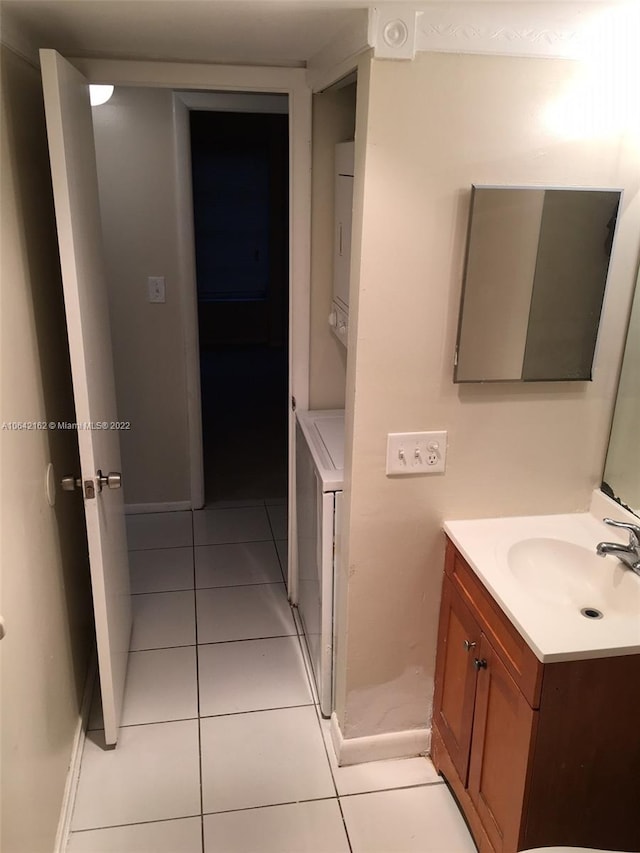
(536, 723)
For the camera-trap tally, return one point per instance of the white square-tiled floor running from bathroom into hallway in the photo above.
(222, 748)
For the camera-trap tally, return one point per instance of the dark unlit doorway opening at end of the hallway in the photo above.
(240, 170)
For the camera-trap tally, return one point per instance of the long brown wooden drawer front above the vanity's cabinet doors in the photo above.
(521, 663)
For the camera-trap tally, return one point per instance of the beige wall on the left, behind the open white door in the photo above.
(44, 574)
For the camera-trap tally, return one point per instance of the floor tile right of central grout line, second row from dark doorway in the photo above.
(240, 563)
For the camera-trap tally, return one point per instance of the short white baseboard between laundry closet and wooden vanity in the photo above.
(358, 750)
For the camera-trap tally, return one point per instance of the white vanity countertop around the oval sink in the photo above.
(554, 628)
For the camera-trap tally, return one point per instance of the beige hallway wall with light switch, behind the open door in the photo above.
(136, 172)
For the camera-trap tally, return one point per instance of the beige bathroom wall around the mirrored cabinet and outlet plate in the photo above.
(433, 127)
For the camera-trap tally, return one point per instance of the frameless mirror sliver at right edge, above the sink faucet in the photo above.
(622, 468)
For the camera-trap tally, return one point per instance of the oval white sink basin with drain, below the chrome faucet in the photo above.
(565, 576)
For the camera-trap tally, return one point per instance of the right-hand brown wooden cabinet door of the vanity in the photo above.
(503, 731)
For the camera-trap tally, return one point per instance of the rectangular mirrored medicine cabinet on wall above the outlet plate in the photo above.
(534, 282)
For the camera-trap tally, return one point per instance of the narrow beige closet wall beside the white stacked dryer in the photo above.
(333, 122)
